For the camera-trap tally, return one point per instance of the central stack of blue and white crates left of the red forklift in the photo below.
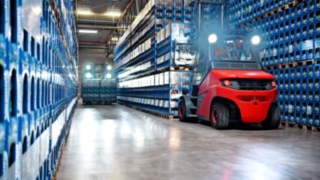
(149, 76)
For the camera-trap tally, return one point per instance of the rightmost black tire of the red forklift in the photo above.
(273, 119)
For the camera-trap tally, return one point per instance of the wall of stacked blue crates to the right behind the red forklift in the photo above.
(291, 31)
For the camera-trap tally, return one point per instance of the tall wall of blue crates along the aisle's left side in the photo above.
(38, 83)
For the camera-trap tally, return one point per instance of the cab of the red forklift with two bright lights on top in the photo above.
(229, 52)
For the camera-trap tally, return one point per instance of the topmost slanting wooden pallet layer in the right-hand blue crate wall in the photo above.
(291, 4)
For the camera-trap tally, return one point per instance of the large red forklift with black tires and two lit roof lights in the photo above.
(229, 84)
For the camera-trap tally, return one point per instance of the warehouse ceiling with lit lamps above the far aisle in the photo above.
(109, 18)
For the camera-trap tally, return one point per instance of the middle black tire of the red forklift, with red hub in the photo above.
(219, 115)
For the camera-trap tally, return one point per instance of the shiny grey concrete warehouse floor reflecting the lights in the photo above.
(115, 142)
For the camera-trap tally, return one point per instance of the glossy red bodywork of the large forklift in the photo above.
(252, 104)
